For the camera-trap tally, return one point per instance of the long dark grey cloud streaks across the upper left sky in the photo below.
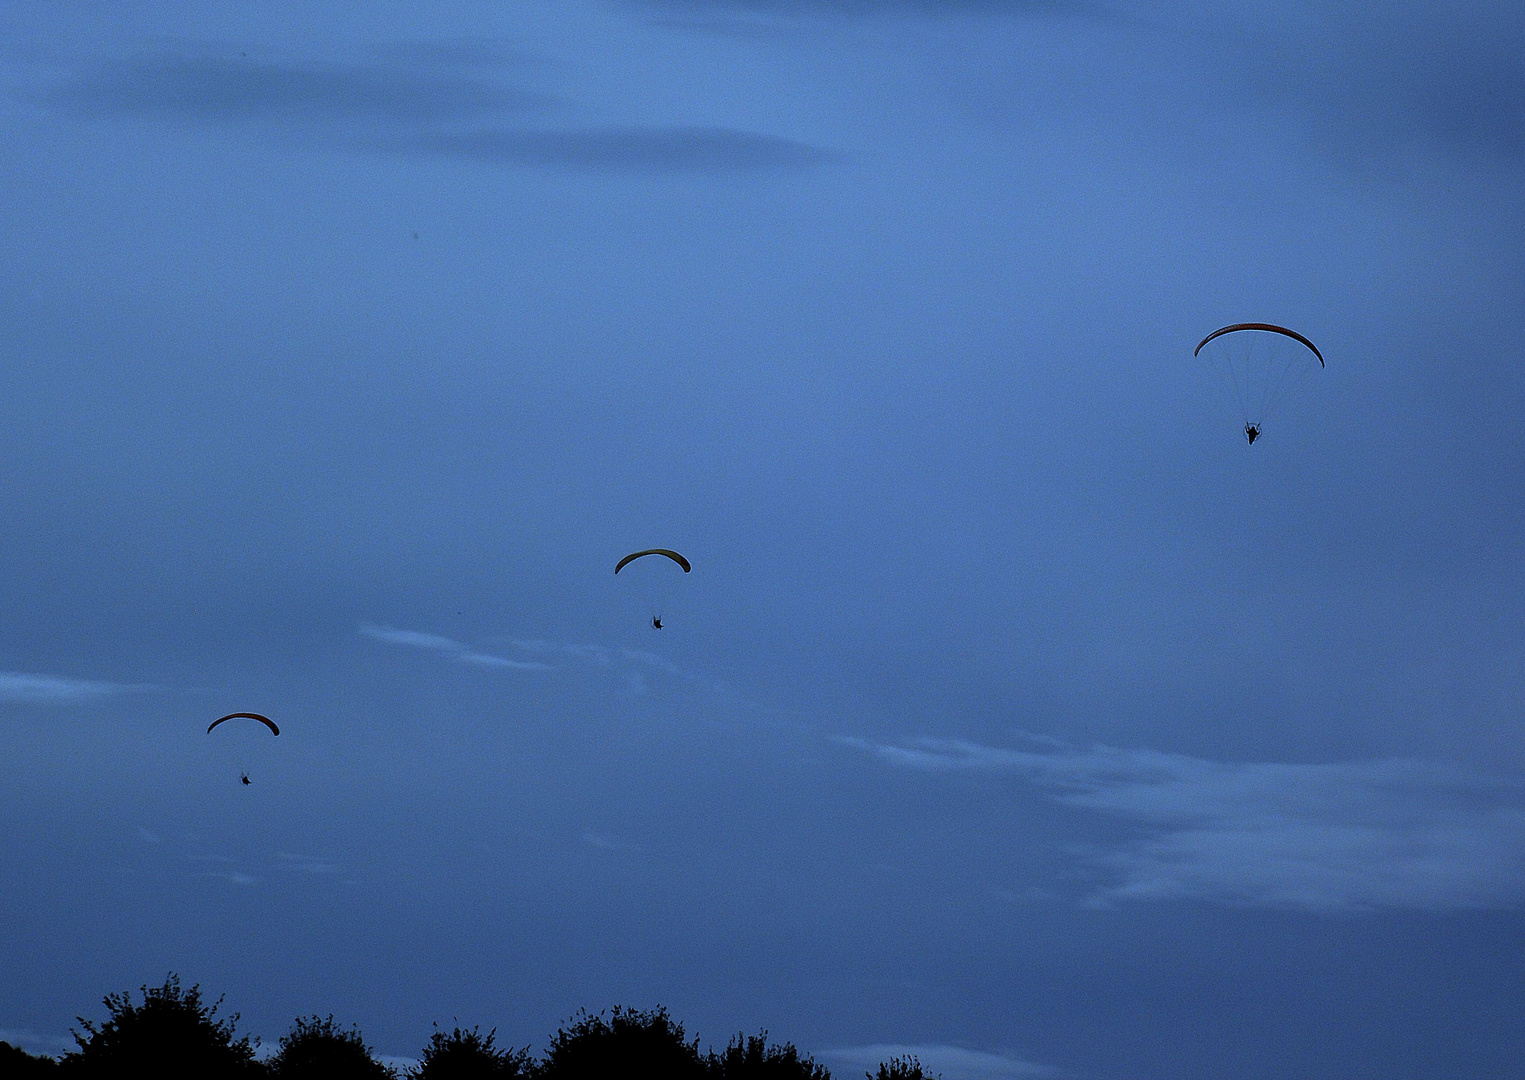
(428, 100)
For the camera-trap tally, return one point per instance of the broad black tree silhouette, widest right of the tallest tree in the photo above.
(629, 1046)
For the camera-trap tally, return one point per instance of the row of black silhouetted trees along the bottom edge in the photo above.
(176, 1033)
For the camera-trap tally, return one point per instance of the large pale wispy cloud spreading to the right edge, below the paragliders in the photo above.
(1312, 837)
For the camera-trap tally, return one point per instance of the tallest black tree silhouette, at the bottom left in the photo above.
(170, 1033)
